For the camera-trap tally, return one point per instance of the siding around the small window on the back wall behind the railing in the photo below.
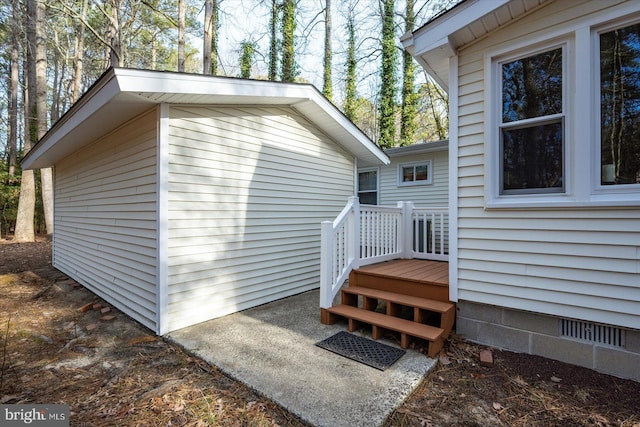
(435, 194)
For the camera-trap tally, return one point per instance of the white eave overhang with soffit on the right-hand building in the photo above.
(435, 42)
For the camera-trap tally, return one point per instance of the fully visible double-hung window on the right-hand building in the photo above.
(531, 124)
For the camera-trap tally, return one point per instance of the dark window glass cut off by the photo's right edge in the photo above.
(620, 105)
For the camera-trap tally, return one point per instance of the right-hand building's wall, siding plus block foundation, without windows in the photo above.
(579, 262)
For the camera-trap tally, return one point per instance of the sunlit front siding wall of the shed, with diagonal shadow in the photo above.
(248, 189)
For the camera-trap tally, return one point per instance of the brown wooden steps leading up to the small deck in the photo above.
(359, 304)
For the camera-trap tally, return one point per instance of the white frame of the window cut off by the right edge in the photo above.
(614, 194)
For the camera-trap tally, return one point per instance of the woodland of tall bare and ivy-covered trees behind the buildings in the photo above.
(349, 49)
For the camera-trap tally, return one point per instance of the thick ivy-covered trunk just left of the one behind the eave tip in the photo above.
(388, 77)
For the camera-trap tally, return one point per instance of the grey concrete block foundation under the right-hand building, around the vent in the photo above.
(540, 334)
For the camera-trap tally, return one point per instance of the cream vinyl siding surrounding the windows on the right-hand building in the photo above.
(580, 263)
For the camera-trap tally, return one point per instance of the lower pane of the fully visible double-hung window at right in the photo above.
(532, 157)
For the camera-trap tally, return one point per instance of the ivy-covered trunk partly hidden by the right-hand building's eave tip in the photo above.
(408, 125)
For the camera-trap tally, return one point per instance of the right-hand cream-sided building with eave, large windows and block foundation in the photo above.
(544, 163)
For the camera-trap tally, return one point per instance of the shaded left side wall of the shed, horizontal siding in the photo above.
(105, 218)
